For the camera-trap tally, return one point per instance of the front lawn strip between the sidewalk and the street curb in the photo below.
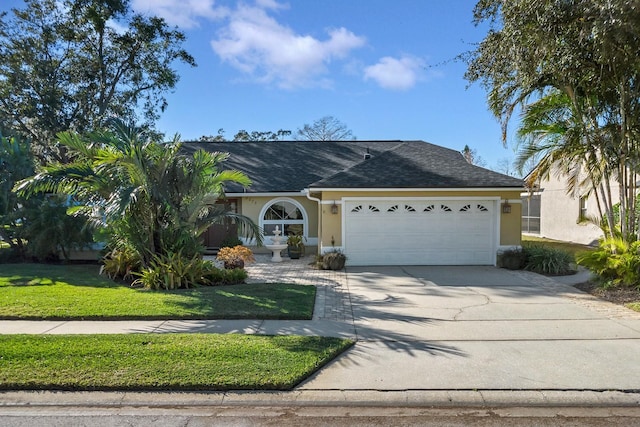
(162, 362)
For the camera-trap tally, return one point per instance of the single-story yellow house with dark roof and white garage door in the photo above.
(380, 202)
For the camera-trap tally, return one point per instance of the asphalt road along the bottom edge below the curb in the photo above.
(316, 416)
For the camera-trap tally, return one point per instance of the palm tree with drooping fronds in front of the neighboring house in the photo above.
(575, 142)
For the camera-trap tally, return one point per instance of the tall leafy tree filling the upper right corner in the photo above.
(583, 53)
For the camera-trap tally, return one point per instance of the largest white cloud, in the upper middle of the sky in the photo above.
(259, 46)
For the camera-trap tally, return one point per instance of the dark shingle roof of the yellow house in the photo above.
(291, 166)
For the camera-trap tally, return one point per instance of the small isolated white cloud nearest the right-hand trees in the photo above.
(395, 74)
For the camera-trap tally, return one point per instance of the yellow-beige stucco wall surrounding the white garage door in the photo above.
(510, 224)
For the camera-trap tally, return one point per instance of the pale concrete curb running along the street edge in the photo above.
(325, 398)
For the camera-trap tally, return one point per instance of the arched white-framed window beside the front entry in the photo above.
(287, 214)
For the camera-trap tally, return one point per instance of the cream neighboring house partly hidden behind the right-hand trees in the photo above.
(552, 213)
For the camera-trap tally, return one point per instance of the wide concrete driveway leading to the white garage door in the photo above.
(468, 328)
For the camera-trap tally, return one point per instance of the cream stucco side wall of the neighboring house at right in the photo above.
(560, 213)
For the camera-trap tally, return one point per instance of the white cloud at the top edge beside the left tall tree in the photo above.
(183, 13)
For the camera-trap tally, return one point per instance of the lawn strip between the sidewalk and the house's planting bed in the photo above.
(61, 292)
